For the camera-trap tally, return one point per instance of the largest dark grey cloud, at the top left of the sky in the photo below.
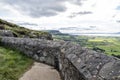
(38, 8)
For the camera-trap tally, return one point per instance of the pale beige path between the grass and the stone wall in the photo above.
(41, 71)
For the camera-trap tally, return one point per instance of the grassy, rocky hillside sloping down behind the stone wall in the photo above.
(19, 31)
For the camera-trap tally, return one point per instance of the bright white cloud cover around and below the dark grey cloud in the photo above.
(104, 15)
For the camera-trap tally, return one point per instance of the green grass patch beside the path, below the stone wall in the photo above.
(12, 64)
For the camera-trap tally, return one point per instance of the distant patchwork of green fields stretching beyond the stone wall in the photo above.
(107, 45)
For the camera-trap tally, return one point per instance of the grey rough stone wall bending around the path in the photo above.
(73, 61)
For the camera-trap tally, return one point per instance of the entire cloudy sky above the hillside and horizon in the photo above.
(73, 15)
